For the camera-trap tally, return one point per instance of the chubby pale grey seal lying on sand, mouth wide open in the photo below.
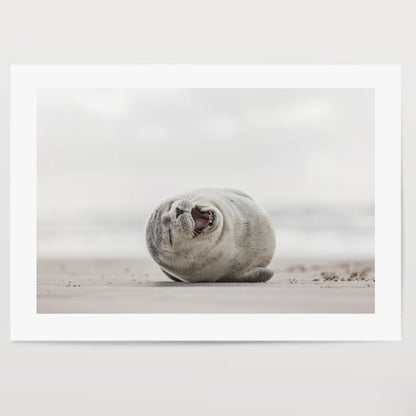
(211, 235)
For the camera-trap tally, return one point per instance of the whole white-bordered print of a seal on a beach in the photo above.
(205, 202)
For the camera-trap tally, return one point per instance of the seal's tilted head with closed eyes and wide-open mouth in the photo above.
(180, 225)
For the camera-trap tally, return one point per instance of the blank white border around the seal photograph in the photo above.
(384, 324)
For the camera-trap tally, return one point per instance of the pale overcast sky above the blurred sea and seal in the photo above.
(116, 151)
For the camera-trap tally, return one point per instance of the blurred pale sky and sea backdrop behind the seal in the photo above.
(107, 157)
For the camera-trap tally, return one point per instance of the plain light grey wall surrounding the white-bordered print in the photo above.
(279, 378)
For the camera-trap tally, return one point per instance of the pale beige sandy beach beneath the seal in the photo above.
(138, 286)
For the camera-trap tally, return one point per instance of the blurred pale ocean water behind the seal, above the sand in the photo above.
(308, 233)
